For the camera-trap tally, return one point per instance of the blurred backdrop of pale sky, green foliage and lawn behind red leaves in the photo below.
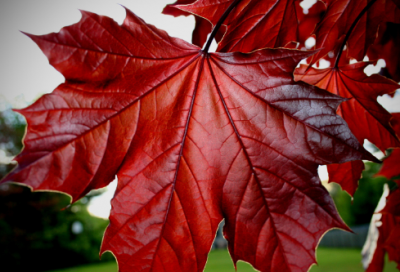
(41, 231)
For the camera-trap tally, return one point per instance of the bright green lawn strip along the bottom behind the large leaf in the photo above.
(329, 259)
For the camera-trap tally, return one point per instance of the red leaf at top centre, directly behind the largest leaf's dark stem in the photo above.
(253, 24)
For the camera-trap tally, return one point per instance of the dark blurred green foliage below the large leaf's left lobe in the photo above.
(36, 232)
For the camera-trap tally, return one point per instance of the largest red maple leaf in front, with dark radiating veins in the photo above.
(193, 138)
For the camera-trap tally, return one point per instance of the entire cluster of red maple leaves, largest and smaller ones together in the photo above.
(197, 137)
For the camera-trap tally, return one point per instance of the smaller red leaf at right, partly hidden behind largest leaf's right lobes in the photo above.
(364, 115)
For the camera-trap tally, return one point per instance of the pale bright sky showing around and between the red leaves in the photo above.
(24, 70)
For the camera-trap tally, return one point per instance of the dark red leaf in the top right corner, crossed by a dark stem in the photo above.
(337, 21)
